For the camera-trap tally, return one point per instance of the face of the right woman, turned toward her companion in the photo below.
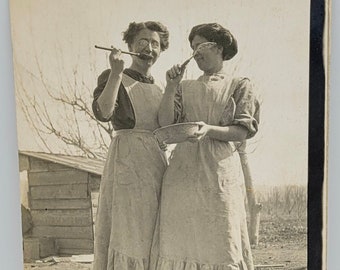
(209, 60)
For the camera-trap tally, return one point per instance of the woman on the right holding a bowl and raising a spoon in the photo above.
(202, 219)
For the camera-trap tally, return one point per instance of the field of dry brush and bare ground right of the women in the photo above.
(283, 226)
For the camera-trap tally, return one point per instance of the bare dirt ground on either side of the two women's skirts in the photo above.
(282, 243)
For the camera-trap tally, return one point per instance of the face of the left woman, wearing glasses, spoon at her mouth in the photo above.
(146, 42)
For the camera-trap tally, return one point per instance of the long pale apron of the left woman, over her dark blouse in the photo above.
(130, 187)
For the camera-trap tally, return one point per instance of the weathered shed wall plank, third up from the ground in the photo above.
(62, 217)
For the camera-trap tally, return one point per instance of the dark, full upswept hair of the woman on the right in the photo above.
(214, 32)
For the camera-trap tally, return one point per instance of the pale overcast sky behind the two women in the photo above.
(273, 38)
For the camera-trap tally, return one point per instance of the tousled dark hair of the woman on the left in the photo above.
(134, 28)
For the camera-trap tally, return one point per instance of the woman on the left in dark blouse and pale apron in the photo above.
(131, 181)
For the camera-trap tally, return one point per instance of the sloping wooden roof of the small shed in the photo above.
(91, 165)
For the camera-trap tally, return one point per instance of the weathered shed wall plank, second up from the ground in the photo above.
(63, 232)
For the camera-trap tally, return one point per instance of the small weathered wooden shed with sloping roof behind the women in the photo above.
(63, 197)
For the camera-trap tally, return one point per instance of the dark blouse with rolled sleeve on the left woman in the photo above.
(123, 116)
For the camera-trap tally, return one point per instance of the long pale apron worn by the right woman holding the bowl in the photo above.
(202, 220)
